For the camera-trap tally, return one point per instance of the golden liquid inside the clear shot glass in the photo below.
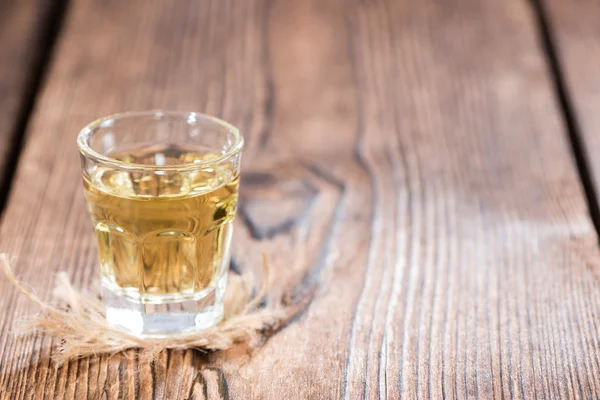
(162, 233)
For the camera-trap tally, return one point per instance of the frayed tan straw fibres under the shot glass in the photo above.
(82, 330)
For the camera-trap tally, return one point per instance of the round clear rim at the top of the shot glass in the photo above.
(85, 149)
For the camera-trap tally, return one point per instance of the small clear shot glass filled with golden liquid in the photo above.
(162, 190)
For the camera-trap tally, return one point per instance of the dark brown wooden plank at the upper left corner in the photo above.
(24, 35)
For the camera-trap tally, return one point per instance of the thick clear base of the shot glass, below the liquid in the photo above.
(158, 317)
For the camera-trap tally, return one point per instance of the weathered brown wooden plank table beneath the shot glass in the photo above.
(452, 147)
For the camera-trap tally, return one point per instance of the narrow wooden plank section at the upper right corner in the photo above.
(575, 35)
